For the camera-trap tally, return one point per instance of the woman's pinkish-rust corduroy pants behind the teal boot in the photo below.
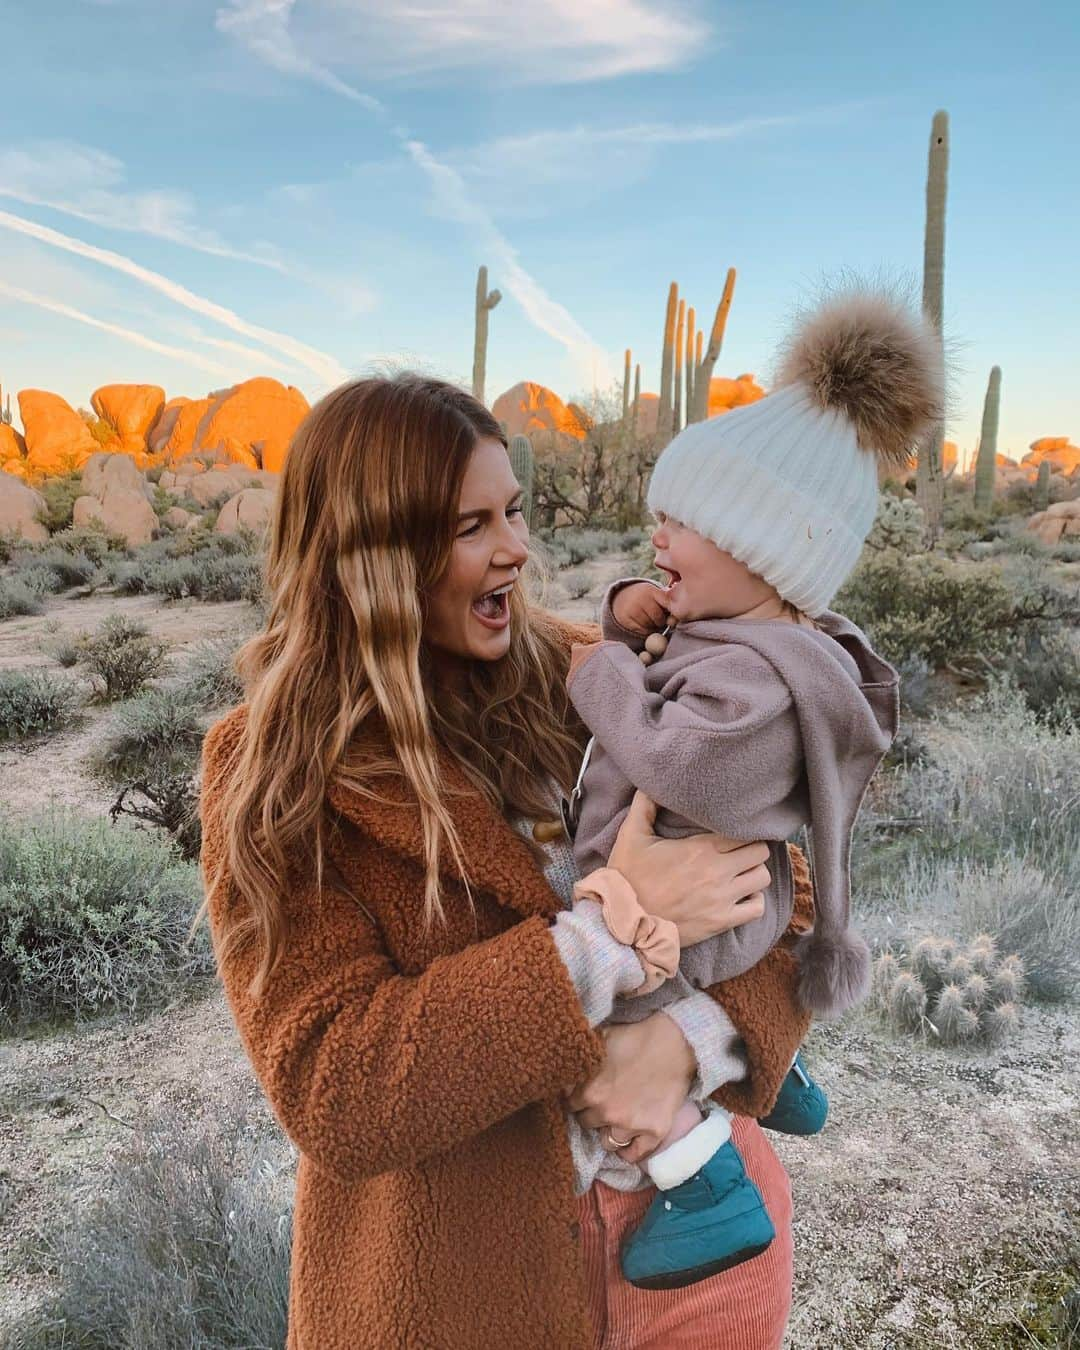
(745, 1309)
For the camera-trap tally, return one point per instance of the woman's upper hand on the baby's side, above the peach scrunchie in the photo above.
(705, 885)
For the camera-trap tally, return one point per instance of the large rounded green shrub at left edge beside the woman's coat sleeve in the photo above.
(92, 919)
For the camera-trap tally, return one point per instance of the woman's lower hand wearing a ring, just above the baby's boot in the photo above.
(641, 1087)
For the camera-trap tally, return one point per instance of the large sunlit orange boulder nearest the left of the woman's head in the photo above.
(253, 423)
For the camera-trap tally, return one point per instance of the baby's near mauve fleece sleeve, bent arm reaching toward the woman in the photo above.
(723, 751)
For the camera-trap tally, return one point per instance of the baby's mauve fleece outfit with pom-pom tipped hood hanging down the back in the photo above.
(753, 730)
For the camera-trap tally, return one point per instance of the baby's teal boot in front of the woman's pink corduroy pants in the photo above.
(700, 1228)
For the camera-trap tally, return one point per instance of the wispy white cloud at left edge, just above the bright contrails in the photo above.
(90, 184)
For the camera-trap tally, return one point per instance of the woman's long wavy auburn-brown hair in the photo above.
(364, 527)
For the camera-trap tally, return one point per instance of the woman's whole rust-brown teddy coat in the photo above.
(419, 1073)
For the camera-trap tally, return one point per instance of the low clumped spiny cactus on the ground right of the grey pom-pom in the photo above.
(956, 996)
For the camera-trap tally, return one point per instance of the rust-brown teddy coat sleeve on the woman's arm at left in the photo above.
(369, 1070)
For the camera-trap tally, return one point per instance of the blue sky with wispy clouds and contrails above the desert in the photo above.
(200, 191)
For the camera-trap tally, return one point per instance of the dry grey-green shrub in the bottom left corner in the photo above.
(187, 1244)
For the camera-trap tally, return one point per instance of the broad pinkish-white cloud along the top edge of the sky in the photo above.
(545, 43)
